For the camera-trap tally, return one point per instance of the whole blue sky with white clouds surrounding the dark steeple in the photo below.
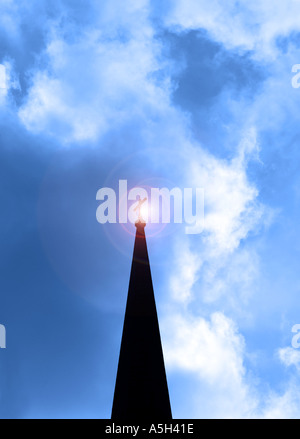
(190, 93)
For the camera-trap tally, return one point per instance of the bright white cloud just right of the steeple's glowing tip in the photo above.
(231, 203)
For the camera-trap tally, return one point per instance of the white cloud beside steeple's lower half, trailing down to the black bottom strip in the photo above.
(213, 351)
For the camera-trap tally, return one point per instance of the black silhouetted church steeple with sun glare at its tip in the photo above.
(141, 390)
